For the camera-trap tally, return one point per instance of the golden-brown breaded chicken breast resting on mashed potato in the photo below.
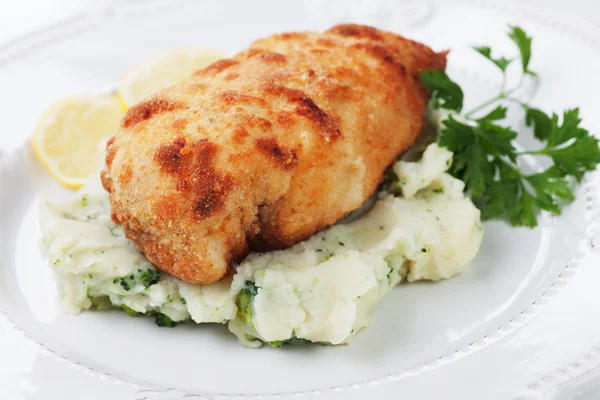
(260, 151)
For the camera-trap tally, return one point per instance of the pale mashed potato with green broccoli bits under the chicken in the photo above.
(320, 290)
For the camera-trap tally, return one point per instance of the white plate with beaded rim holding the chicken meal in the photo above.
(523, 323)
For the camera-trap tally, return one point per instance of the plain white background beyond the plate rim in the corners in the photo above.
(18, 17)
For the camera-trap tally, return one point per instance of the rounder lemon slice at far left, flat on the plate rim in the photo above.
(67, 137)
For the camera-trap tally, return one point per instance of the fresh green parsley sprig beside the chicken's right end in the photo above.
(485, 156)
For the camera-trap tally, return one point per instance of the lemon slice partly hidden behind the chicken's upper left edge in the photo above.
(164, 70)
